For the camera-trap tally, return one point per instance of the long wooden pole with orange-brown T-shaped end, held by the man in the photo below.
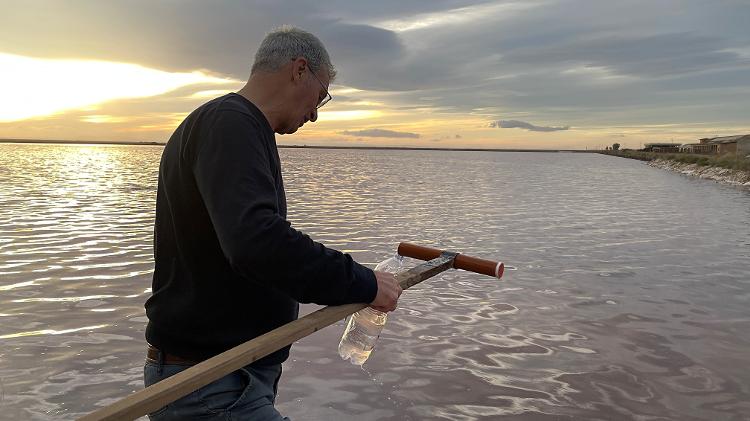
(172, 388)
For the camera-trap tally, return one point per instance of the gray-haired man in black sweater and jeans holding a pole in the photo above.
(229, 267)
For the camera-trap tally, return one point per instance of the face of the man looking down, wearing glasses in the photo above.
(310, 92)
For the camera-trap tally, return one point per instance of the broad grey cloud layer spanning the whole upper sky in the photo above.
(620, 63)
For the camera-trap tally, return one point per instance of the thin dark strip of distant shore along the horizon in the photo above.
(396, 148)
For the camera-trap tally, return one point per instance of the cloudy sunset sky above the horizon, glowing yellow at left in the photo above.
(531, 74)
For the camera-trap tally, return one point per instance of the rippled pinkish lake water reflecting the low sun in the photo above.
(631, 298)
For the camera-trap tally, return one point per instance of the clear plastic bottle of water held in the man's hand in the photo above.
(364, 326)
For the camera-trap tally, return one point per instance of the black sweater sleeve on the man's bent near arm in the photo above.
(233, 175)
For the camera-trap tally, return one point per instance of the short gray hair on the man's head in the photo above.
(287, 43)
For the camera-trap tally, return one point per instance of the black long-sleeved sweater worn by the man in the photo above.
(229, 267)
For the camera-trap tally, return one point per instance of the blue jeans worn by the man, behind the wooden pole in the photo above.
(246, 394)
